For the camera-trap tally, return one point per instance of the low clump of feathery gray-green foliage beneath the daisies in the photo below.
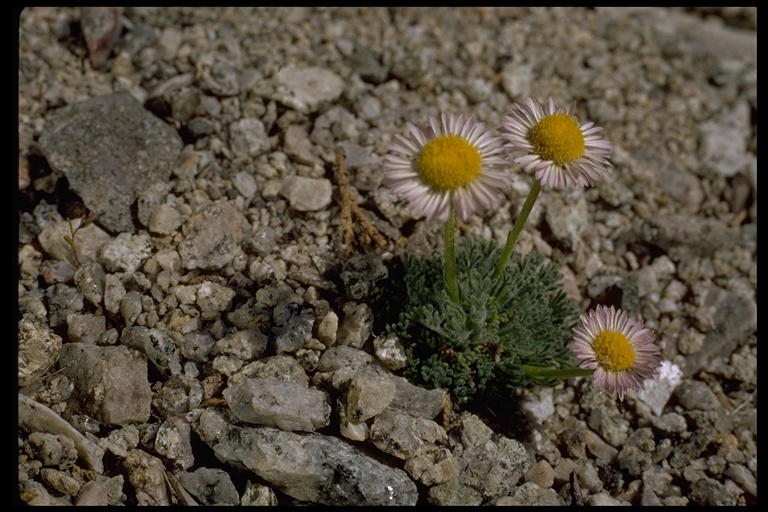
(477, 349)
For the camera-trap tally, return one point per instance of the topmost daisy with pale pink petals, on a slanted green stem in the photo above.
(558, 150)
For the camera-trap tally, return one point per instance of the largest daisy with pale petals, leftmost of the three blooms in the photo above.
(454, 160)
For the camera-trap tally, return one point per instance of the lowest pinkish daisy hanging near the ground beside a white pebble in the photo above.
(620, 349)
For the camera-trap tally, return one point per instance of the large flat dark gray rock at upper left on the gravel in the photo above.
(87, 142)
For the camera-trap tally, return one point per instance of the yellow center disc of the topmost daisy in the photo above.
(558, 138)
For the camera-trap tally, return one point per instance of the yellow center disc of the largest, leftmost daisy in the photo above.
(449, 162)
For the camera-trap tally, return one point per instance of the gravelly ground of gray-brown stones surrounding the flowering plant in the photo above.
(211, 339)
